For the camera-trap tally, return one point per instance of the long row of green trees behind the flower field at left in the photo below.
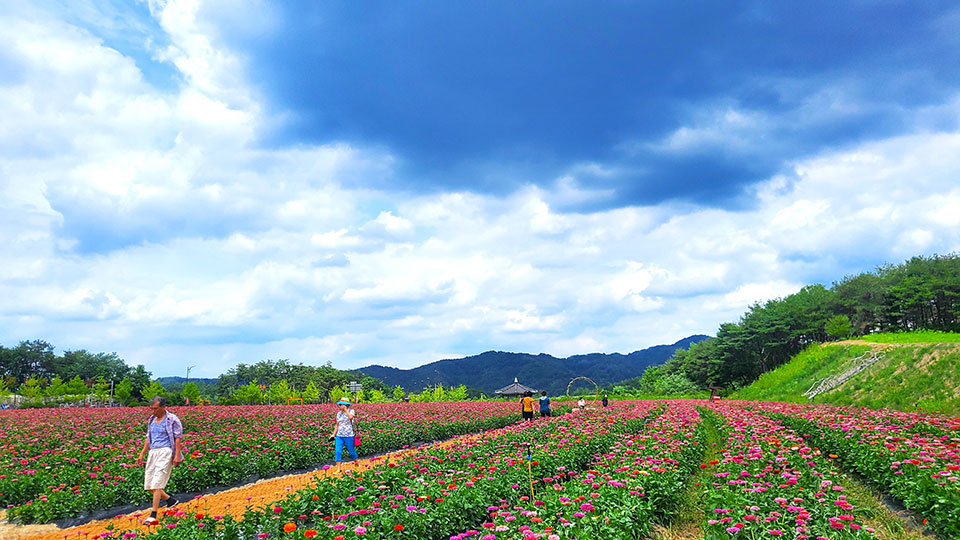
(34, 371)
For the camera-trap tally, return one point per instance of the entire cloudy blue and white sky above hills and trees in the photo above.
(205, 183)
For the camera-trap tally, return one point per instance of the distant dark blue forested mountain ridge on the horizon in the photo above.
(495, 369)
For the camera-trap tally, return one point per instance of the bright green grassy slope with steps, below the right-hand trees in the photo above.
(917, 371)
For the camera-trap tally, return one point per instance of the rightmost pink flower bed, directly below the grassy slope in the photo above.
(916, 461)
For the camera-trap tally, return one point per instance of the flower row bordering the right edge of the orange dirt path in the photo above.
(433, 493)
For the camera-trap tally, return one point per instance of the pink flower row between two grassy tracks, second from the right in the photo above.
(771, 483)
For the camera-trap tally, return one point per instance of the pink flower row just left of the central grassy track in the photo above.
(626, 490)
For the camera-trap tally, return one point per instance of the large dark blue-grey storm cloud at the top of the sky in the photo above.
(492, 95)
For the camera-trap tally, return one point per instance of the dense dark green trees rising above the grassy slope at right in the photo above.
(922, 293)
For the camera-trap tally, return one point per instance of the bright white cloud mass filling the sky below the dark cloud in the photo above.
(240, 253)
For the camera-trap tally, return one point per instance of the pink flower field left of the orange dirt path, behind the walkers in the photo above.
(65, 462)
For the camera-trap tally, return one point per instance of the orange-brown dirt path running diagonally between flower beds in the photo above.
(231, 501)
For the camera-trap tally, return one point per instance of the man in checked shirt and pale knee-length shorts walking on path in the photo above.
(164, 442)
